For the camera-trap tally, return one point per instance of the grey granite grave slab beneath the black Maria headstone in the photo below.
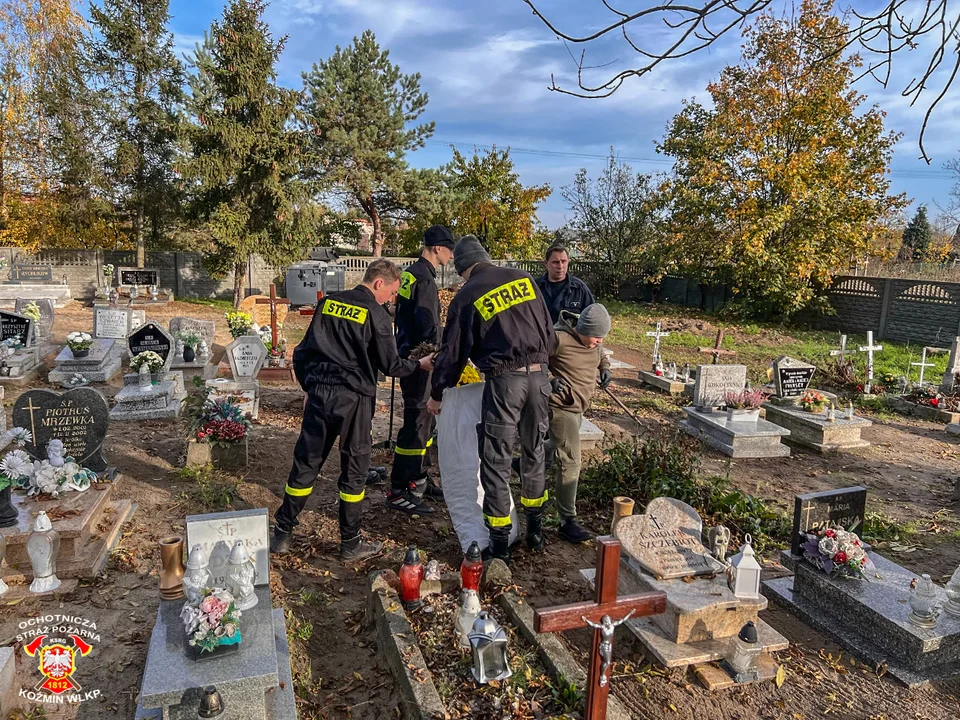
(869, 617)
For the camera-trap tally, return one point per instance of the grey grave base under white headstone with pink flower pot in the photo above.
(760, 439)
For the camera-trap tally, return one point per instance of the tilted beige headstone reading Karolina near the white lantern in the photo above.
(666, 540)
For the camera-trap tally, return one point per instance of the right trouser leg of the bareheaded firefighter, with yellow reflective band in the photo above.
(354, 462)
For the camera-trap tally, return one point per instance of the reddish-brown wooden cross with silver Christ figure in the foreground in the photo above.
(603, 615)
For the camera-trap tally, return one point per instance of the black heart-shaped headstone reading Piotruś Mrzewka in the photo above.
(77, 417)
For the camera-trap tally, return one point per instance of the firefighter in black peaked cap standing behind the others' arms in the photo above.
(418, 321)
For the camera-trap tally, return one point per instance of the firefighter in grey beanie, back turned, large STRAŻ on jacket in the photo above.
(499, 321)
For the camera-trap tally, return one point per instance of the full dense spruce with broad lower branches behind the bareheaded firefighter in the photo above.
(245, 154)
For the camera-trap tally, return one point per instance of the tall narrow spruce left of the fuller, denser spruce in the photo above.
(142, 81)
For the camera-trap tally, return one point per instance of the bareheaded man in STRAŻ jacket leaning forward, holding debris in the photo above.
(349, 341)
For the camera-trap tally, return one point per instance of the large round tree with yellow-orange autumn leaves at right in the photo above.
(784, 179)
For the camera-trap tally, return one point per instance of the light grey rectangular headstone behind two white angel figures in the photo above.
(217, 533)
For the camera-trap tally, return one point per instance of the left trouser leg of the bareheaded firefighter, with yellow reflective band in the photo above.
(318, 430)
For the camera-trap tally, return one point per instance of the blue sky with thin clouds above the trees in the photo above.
(487, 67)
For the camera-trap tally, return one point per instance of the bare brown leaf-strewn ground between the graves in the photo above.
(908, 469)
